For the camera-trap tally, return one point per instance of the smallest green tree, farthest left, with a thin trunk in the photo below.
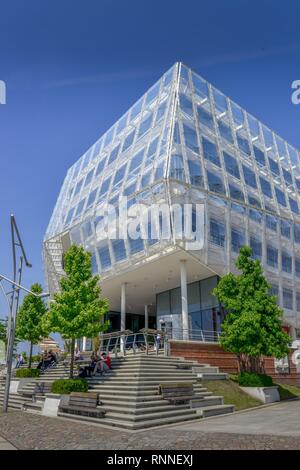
(30, 324)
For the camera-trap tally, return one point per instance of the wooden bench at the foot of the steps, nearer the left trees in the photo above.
(83, 404)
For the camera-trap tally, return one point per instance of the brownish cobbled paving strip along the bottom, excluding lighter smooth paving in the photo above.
(29, 431)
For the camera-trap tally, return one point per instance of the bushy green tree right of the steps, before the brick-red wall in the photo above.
(253, 325)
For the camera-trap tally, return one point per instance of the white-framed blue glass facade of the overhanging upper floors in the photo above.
(185, 141)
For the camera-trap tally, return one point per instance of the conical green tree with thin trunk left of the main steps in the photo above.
(78, 309)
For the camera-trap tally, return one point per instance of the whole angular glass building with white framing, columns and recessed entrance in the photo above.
(183, 142)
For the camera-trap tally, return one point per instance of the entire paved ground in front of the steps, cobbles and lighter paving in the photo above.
(272, 427)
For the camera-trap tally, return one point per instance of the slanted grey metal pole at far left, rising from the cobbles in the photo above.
(10, 346)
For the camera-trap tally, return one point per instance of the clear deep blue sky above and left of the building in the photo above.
(72, 68)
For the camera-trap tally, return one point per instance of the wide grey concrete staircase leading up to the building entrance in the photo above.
(129, 393)
